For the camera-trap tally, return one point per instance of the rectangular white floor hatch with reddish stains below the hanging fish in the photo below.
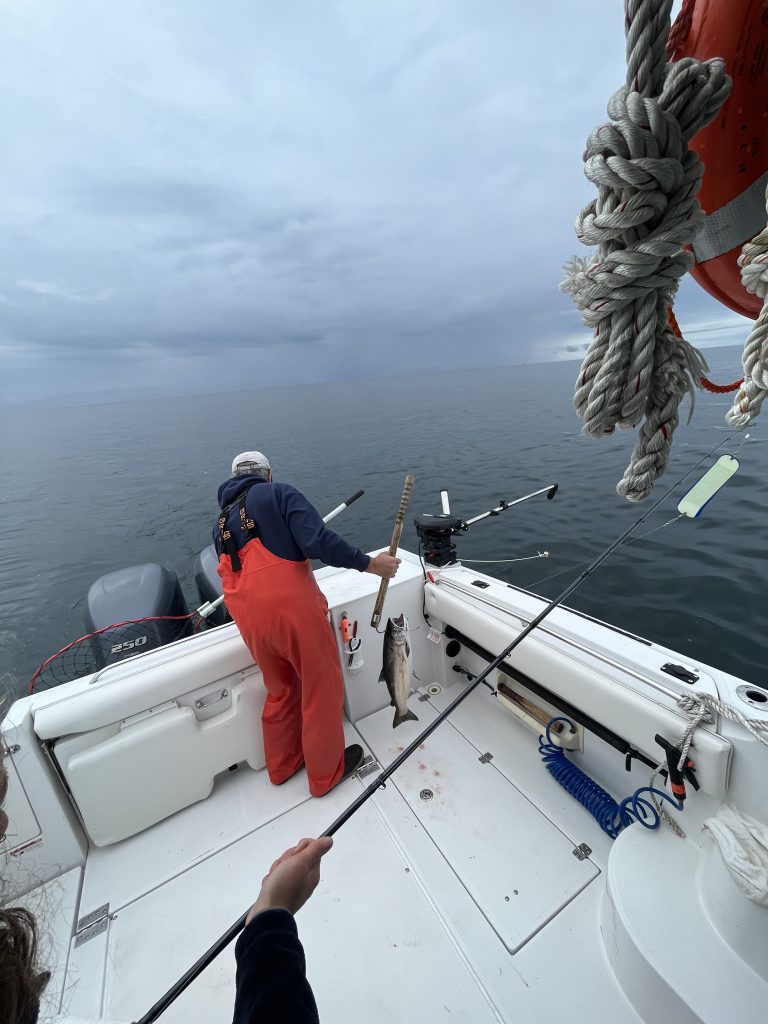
(519, 868)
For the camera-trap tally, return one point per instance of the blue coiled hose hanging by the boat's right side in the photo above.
(612, 818)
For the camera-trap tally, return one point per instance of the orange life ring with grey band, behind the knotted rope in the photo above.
(735, 146)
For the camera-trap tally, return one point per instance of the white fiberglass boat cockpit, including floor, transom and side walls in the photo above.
(454, 894)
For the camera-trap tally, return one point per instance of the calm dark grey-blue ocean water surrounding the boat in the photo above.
(93, 489)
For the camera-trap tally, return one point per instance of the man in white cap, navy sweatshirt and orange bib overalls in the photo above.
(266, 535)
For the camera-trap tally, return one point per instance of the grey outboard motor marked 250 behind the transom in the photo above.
(148, 593)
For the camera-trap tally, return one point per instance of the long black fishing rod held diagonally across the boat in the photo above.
(163, 1004)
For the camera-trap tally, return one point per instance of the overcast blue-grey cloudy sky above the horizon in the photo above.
(203, 196)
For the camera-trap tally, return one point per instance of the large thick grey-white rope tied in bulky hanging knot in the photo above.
(636, 372)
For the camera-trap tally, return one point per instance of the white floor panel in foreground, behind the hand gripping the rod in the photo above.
(376, 951)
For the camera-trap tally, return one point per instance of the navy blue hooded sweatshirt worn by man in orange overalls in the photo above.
(286, 524)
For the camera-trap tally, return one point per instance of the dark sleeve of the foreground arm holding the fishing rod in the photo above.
(272, 984)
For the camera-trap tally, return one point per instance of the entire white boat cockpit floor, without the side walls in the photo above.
(486, 915)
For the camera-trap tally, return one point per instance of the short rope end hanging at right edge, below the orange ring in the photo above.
(754, 264)
